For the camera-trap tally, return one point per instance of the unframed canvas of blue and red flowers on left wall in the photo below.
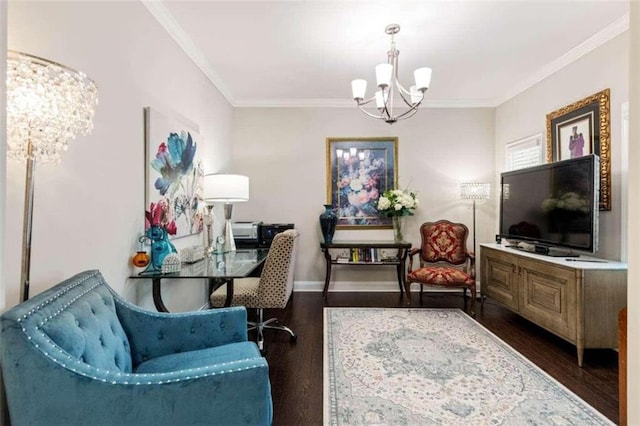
(173, 175)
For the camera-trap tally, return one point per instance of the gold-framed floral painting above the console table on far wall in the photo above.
(359, 170)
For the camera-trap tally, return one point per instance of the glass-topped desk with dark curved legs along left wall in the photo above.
(218, 270)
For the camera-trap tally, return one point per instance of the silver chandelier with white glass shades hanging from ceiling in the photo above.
(389, 85)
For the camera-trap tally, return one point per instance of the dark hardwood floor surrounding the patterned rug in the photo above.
(296, 369)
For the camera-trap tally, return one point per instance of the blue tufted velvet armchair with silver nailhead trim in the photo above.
(78, 354)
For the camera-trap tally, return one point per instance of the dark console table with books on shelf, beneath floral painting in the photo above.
(366, 248)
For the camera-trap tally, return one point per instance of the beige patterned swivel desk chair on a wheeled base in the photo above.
(271, 290)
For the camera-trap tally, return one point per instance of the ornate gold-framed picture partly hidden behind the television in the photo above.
(593, 111)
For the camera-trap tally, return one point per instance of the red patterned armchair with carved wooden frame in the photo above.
(443, 260)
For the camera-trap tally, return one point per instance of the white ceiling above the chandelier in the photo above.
(305, 53)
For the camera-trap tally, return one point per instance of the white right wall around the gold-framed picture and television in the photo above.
(524, 115)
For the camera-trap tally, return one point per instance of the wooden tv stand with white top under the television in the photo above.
(577, 299)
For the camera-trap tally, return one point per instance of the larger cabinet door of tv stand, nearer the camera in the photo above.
(548, 297)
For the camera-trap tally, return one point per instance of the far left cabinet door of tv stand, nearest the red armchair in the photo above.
(499, 279)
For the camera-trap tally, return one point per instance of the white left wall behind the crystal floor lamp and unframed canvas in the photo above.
(90, 208)
